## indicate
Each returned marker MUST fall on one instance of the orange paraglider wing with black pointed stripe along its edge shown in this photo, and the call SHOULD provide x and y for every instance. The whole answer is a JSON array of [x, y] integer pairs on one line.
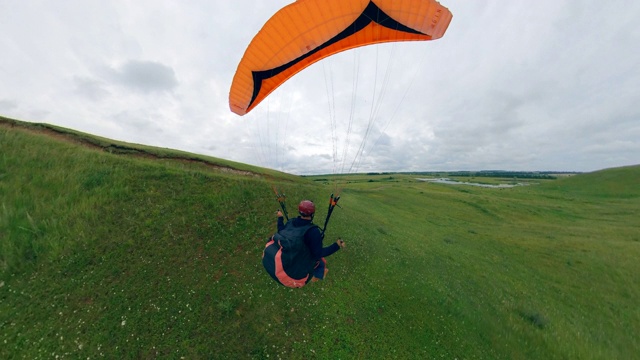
[[307, 31]]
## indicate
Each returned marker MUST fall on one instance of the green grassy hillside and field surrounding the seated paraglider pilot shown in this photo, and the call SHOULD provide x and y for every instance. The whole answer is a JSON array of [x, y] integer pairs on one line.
[[120, 251]]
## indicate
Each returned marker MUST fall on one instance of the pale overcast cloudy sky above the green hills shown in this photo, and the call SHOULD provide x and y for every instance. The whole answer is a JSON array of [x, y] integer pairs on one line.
[[512, 85]]
